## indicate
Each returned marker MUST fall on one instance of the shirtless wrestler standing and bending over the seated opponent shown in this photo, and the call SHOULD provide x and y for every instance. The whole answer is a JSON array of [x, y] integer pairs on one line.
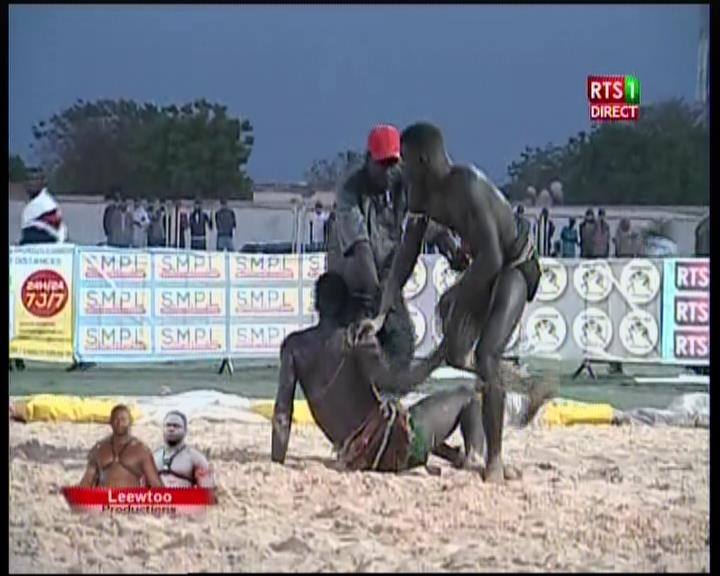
[[482, 309]]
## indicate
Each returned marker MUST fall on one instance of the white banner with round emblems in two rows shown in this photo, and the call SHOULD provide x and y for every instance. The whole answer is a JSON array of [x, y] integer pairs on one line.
[[594, 309]]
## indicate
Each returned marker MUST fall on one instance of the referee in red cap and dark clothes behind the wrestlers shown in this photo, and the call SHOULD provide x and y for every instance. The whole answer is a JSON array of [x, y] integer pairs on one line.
[[367, 229]]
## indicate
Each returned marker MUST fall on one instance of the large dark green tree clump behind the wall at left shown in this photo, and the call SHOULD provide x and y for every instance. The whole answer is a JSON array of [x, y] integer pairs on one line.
[[172, 152]]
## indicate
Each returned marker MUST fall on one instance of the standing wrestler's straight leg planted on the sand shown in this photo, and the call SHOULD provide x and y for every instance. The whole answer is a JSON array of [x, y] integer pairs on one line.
[[507, 305]]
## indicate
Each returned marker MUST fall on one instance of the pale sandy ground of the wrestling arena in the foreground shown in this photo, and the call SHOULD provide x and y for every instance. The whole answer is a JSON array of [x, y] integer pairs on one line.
[[592, 498]]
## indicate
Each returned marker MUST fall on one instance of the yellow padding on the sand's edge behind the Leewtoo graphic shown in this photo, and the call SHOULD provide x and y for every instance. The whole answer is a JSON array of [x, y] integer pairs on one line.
[[56, 408]]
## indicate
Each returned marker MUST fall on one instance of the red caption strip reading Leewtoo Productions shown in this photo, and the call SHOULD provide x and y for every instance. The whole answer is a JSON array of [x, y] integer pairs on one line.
[[139, 500]]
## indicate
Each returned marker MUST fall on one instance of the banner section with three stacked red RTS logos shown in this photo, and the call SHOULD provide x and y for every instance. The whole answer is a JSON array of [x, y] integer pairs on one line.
[[686, 311]]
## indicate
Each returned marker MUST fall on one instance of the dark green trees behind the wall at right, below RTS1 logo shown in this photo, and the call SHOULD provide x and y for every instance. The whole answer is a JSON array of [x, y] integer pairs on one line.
[[662, 159]]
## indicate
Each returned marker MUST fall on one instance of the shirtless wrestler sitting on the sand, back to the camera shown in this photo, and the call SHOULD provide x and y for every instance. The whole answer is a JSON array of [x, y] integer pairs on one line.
[[341, 376]]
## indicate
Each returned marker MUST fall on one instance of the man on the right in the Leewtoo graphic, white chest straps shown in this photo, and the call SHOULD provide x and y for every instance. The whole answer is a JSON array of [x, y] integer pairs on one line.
[[179, 465]]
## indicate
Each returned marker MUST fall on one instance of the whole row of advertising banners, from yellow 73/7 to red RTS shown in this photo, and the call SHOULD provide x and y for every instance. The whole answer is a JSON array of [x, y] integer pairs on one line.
[[117, 305]]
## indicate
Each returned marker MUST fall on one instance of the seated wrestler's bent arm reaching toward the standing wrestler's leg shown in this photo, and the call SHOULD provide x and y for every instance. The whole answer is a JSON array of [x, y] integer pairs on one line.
[[377, 370]]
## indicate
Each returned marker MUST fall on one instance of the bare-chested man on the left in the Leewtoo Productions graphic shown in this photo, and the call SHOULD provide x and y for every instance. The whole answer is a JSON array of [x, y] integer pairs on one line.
[[120, 460]]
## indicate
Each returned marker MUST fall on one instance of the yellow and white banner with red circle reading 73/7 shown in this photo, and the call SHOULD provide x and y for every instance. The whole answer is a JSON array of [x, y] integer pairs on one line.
[[41, 303]]
